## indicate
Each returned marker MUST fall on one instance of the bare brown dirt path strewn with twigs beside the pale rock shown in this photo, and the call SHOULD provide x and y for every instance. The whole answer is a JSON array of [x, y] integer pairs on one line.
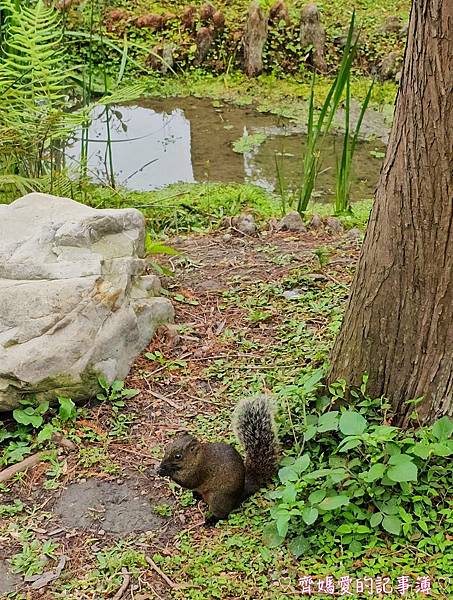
[[106, 490]]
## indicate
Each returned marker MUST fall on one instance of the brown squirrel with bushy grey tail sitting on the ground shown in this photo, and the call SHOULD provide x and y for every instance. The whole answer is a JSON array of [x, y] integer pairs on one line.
[[216, 472]]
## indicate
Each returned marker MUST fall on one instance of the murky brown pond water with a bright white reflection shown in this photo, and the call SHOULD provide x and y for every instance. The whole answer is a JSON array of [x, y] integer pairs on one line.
[[159, 142]]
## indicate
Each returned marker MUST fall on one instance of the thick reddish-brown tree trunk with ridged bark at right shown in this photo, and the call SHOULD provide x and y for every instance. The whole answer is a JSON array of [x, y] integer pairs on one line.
[[398, 325]]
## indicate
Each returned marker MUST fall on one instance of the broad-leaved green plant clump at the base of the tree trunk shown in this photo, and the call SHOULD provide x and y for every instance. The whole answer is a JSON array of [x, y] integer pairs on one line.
[[359, 477]]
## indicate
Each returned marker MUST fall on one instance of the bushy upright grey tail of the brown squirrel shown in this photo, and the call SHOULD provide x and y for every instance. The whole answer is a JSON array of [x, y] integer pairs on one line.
[[255, 428]]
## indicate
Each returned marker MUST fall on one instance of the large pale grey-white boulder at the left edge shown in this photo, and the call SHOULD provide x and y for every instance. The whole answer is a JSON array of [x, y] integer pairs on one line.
[[74, 300]]
